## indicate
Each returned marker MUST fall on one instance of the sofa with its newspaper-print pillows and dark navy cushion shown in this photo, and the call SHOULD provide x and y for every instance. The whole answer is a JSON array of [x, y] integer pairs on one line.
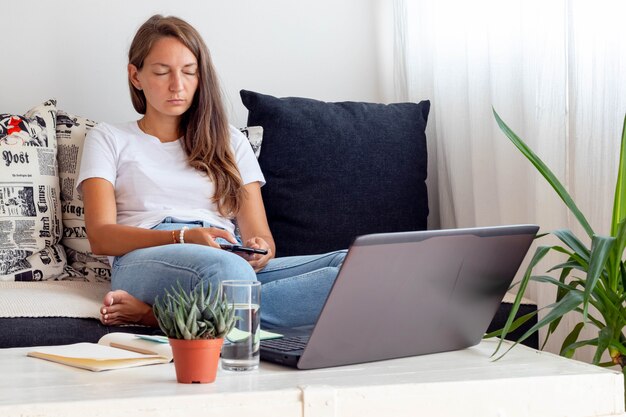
[[333, 171]]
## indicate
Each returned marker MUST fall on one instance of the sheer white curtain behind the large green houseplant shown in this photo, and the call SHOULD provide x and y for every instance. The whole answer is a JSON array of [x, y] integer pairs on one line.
[[554, 70]]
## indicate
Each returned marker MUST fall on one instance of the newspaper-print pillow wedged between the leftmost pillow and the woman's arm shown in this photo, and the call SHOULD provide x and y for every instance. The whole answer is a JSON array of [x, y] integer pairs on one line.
[[71, 132]]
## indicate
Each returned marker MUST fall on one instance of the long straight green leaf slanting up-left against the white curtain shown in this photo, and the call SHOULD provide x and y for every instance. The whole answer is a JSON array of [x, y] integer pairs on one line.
[[546, 173]]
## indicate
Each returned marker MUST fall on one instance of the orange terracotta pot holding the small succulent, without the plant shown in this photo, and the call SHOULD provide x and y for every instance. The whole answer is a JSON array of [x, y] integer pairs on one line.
[[196, 361]]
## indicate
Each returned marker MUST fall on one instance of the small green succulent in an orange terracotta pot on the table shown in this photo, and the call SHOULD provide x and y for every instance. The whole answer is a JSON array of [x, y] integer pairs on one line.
[[195, 323]]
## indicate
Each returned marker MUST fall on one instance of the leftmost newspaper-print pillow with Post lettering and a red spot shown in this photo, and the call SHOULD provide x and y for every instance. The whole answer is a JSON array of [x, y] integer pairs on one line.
[[30, 213]]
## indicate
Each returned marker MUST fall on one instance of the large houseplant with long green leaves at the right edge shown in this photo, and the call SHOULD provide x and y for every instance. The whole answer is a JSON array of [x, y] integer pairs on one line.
[[594, 275]]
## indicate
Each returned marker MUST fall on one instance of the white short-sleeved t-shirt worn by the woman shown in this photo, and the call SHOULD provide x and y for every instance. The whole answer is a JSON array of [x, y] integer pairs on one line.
[[153, 180]]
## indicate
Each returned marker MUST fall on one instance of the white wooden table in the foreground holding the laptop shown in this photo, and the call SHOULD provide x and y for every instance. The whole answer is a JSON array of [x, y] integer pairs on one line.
[[463, 383]]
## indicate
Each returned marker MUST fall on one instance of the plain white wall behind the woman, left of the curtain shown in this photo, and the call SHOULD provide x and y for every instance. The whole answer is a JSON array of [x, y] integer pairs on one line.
[[76, 50]]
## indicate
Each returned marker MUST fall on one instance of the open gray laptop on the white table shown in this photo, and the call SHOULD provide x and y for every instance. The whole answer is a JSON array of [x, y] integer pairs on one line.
[[406, 294]]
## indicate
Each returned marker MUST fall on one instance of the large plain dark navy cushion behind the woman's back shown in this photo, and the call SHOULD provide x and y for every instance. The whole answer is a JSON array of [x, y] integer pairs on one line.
[[338, 170]]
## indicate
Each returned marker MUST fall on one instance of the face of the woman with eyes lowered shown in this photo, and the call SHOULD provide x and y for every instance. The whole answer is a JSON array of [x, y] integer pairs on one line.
[[169, 78]]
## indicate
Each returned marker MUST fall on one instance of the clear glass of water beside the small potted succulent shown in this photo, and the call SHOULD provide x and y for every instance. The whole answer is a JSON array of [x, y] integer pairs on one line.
[[241, 346]]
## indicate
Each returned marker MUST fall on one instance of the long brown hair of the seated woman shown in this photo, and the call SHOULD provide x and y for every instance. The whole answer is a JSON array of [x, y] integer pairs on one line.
[[205, 126]]
